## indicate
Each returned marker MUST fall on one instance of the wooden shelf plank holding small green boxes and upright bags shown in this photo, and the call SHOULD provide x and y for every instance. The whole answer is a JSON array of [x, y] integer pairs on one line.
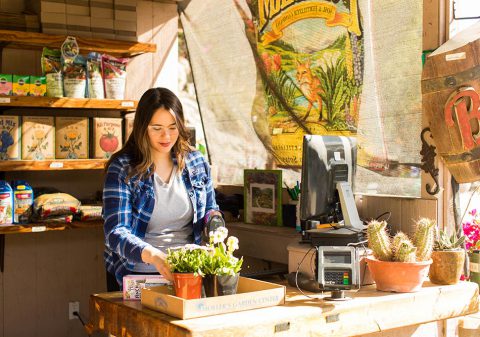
[[67, 103]]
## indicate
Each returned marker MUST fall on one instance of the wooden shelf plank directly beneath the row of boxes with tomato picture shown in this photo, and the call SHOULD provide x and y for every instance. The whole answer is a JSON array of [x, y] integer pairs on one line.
[[53, 164]]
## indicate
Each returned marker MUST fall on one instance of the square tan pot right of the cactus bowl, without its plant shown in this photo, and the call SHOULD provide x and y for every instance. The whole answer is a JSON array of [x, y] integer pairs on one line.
[[447, 266]]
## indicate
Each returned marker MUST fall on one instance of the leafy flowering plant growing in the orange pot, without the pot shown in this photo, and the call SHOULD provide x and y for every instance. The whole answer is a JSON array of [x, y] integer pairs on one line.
[[187, 259]]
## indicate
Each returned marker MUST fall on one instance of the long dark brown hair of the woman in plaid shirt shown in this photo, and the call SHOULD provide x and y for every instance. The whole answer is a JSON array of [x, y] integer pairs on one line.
[[138, 144]]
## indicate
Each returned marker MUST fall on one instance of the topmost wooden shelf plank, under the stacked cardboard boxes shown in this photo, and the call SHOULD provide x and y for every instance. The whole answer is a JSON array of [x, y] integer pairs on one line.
[[16, 39]]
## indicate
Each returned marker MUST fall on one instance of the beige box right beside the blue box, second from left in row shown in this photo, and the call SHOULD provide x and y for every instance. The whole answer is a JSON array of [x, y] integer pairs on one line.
[[38, 138]]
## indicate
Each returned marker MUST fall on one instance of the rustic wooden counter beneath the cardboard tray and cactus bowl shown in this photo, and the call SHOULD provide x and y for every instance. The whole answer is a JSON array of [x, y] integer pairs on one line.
[[370, 311]]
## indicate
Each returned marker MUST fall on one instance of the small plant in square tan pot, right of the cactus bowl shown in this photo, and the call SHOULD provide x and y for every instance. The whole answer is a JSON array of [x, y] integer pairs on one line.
[[448, 258]]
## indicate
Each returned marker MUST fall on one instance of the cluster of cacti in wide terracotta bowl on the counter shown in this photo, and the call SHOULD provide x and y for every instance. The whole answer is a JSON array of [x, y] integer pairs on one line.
[[400, 264]]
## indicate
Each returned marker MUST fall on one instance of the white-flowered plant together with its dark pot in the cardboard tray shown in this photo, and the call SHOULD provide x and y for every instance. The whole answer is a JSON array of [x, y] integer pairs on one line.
[[221, 267]]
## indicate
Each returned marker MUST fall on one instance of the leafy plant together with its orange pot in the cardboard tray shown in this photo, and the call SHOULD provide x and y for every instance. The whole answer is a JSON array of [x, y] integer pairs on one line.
[[187, 263]]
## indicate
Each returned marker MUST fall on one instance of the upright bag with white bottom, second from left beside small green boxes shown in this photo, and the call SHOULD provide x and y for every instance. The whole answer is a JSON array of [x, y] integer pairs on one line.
[[75, 77]]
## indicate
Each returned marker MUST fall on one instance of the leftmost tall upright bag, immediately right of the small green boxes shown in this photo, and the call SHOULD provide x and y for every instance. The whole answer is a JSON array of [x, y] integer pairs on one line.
[[52, 69]]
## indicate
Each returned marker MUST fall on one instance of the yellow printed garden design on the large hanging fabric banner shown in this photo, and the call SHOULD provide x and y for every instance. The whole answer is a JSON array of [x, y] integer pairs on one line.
[[309, 58]]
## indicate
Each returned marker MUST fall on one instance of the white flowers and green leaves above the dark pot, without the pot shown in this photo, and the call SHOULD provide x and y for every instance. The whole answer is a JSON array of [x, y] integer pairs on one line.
[[220, 260]]
